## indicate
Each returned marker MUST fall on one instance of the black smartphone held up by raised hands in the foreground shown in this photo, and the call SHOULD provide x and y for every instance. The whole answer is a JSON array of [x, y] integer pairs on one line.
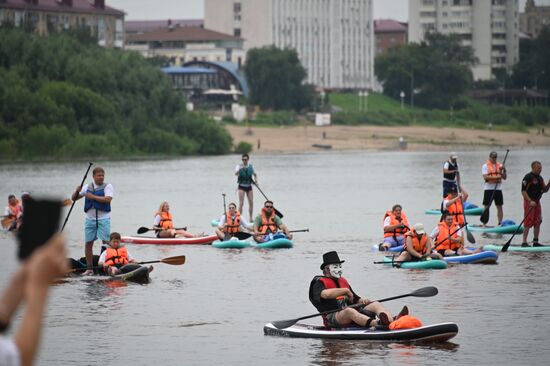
[[39, 222]]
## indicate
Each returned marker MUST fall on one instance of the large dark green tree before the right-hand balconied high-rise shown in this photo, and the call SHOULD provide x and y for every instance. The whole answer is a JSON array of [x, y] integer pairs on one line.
[[437, 70]]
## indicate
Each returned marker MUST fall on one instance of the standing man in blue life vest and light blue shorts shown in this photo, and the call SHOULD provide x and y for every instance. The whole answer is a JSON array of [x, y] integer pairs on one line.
[[97, 206]]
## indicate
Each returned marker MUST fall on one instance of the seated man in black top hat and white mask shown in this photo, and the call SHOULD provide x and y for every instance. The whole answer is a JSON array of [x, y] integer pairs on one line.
[[332, 291]]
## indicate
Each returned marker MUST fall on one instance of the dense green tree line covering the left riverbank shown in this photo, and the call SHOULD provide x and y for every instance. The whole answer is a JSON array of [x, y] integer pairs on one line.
[[61, 96]]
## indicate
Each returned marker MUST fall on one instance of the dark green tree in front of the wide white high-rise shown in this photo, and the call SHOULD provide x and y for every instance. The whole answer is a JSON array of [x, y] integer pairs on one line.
[[276, 79]]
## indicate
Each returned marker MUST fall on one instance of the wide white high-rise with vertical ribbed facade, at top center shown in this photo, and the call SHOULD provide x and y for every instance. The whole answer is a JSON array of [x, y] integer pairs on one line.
[[334, 38]]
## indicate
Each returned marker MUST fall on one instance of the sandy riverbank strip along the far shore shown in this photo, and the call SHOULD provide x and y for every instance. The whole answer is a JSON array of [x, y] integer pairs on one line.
[[301, 139]]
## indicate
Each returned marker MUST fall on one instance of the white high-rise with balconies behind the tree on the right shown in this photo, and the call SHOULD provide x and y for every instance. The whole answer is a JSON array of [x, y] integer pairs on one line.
[[489, 26]]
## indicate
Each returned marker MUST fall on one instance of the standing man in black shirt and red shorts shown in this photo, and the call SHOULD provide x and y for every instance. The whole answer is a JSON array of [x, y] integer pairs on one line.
[[532, 188]]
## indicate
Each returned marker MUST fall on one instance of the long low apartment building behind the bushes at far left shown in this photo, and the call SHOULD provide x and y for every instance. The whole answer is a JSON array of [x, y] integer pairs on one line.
[[46, 16]]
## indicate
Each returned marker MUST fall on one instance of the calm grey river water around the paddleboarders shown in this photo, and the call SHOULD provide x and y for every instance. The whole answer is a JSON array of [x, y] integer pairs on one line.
[[212, 309]]
